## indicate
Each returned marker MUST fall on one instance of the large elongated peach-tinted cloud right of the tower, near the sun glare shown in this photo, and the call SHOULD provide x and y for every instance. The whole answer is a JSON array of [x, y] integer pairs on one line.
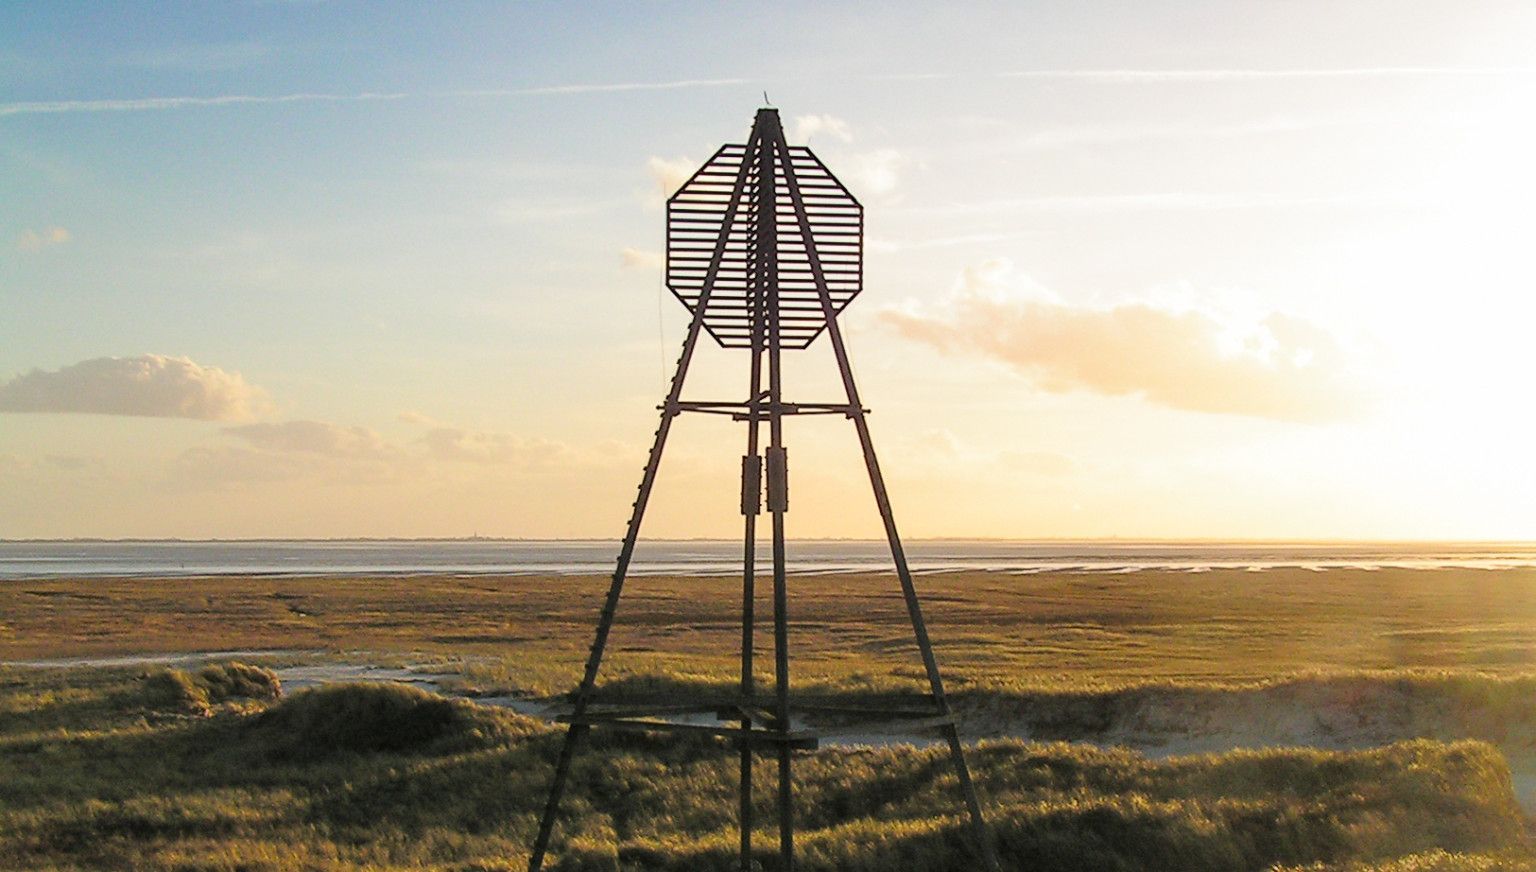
[[1279, 366]]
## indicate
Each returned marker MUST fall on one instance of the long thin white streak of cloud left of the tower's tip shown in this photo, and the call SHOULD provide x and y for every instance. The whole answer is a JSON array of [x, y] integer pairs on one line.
[[162, 104]]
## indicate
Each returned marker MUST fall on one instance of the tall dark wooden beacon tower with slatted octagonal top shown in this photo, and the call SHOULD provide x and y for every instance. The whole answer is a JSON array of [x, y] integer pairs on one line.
[[766, 249]]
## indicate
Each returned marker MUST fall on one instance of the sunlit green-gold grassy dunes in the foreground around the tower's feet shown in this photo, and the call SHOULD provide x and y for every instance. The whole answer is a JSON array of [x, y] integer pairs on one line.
[[392, 778]]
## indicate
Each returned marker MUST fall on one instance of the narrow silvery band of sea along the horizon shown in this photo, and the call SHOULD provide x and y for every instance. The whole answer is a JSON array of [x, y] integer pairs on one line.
[[59, 560]]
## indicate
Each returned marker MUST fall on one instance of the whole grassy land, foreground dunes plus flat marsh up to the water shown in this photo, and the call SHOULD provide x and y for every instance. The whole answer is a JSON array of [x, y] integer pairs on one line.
[[147, 768]]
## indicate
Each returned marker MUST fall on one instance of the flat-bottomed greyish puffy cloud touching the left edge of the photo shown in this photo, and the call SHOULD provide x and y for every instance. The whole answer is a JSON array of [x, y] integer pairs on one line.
[[151, 386]]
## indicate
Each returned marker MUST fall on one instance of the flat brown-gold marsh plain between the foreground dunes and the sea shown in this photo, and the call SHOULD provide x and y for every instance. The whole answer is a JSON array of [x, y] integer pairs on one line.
[[1058, 632]]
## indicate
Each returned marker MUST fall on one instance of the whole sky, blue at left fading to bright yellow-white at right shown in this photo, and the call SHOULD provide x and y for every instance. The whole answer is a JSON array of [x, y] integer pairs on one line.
[[1145, 269]]
